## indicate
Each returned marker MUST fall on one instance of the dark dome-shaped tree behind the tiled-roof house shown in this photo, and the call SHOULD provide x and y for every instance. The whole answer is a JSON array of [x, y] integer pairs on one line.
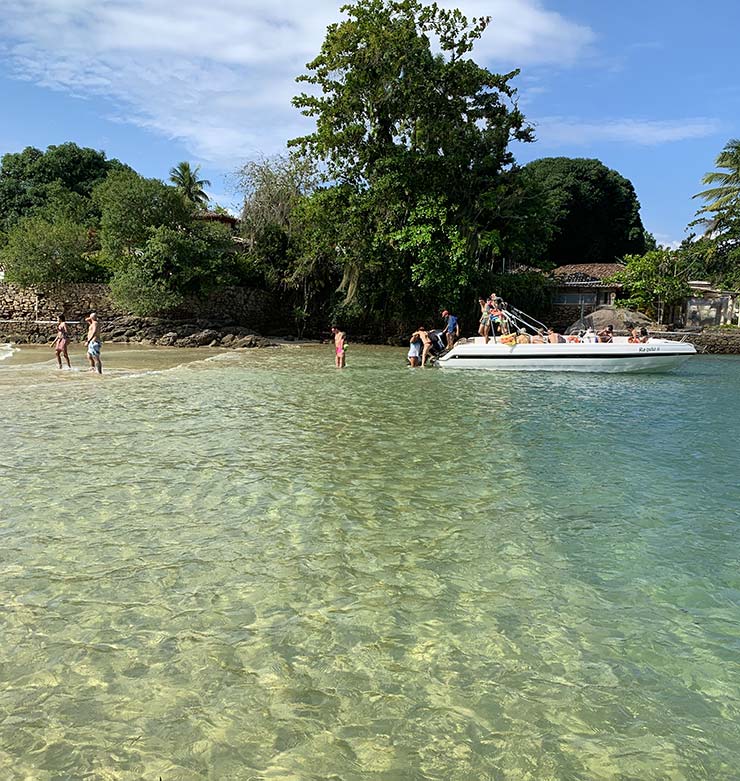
[[593, 211]]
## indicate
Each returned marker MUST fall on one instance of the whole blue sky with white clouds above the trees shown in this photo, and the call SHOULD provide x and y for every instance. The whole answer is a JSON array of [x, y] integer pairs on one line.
[[650, 88]]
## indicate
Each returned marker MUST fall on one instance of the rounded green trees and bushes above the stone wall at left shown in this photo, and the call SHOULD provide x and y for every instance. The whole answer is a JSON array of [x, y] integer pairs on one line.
[[84, 218]]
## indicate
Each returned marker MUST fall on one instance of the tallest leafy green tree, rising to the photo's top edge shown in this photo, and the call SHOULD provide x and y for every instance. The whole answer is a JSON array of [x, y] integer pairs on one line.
[[414, 133]]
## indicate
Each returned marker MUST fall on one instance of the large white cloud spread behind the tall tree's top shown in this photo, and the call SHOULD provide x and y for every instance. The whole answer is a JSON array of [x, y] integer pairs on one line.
[[219, 75]]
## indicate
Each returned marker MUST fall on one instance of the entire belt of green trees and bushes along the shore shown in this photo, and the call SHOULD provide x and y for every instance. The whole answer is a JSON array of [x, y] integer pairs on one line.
[[403, 200]]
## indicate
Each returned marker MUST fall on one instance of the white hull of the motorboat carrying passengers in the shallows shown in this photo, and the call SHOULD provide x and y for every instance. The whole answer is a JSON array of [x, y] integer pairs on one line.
[[655, 355]]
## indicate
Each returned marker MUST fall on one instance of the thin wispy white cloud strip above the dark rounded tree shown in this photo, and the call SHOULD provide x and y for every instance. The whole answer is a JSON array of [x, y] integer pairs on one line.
[[566, 132]]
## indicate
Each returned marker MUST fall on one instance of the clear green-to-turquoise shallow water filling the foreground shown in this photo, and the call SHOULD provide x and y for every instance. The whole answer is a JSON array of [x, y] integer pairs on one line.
[[253, 566]]
